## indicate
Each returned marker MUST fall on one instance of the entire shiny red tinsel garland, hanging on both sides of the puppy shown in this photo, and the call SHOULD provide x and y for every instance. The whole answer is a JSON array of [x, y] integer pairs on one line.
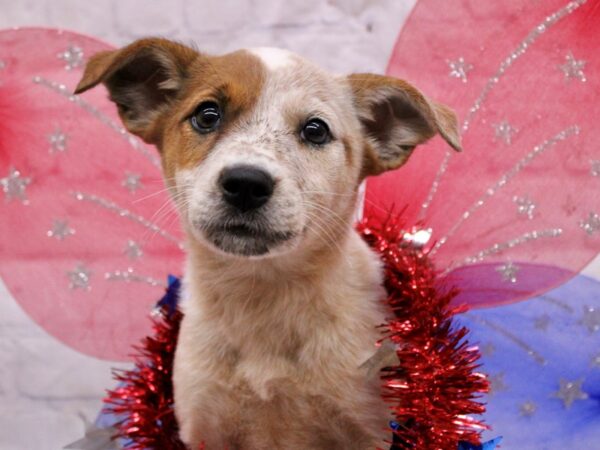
[[432, 392]]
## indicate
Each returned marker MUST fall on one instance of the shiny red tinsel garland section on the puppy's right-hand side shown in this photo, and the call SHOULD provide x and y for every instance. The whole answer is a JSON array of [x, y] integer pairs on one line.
[[435, 387]]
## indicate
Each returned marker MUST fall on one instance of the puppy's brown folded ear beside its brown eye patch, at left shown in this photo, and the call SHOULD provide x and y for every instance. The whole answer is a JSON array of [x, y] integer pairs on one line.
[[142, 79]]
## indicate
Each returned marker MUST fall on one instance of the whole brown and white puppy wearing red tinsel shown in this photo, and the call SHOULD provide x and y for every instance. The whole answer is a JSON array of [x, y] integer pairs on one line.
[[263, 153]]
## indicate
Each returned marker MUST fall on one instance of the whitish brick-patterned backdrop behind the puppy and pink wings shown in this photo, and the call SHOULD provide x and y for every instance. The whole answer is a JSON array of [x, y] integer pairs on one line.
[[44, 386]]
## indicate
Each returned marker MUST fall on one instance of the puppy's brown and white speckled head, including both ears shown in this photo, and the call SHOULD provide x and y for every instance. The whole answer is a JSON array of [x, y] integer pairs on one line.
[[263, 150]]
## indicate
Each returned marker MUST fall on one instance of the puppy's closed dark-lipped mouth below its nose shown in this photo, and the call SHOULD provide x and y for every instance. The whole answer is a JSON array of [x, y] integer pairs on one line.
[[245, 238]]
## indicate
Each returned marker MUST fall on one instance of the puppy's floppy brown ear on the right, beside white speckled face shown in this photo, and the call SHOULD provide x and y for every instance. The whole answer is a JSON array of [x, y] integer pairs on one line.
[[397, 117]]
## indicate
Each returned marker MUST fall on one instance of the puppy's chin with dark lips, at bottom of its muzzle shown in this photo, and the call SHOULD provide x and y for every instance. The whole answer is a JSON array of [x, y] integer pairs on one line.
[[247, 240]]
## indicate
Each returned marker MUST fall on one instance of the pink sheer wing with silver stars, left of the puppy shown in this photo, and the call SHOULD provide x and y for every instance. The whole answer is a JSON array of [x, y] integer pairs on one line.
[[88, 233]]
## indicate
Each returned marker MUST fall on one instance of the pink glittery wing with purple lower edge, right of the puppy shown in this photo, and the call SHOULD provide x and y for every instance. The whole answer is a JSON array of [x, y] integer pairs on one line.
[[523, 199]]
